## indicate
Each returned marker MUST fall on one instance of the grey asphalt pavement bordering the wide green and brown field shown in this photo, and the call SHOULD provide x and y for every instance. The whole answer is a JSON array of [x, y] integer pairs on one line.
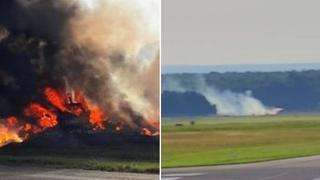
[[306, 168]]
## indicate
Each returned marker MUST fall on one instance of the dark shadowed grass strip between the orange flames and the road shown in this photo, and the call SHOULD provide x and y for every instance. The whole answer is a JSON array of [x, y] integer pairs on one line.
[[124, 158]]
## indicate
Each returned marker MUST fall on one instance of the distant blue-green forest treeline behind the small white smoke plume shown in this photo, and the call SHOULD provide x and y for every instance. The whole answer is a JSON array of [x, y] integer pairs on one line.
[[290, 90]]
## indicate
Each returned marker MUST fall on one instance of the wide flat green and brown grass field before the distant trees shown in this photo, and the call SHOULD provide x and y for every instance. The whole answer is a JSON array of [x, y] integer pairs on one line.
[[231, 140]]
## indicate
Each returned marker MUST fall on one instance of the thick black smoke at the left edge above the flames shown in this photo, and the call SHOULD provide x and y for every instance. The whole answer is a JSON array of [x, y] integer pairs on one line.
[[32, 32]]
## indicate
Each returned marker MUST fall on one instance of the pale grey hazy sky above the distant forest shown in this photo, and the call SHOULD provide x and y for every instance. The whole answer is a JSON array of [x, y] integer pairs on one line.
[[240, 31]]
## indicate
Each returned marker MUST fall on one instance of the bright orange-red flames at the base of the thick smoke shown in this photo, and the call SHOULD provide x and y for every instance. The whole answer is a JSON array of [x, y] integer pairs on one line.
[[44, 116]]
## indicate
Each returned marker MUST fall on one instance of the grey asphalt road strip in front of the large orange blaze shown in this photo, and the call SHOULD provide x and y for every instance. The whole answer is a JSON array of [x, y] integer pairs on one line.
[[31, 173]]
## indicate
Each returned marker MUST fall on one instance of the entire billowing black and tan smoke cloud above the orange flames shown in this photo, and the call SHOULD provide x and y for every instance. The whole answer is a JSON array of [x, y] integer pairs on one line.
[[105, 49]]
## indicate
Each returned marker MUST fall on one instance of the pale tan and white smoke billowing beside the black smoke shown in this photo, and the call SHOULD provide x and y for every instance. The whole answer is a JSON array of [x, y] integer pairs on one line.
[[124, 38]]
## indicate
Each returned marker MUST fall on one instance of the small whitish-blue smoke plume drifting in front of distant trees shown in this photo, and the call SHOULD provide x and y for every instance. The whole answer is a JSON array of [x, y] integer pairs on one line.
[[226, 102]]
